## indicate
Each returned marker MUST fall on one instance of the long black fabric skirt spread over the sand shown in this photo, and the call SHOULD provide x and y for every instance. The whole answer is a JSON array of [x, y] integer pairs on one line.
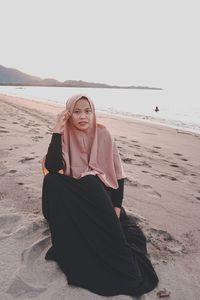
[[93, 247]]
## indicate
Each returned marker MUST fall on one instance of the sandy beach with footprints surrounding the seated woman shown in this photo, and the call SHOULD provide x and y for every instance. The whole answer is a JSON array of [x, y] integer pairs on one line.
[[162, 192]]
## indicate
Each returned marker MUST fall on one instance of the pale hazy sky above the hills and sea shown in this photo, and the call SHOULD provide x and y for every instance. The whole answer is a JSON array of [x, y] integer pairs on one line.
[[144, 42]]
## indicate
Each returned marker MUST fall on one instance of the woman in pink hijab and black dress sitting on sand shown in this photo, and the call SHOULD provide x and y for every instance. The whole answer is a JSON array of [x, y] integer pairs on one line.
[[94, 242]]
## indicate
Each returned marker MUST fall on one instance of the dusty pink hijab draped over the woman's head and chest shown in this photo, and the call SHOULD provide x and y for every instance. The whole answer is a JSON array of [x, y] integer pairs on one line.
[[92, 151]]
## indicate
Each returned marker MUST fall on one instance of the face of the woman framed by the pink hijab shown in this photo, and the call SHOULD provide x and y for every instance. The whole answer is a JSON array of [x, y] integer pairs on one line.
[[82, 116]]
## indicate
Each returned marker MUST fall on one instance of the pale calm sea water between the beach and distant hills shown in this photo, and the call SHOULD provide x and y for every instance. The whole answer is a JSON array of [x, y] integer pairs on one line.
[[174, 110]]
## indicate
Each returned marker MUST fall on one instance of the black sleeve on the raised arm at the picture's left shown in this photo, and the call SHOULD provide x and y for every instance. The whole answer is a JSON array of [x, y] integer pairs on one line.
[[54, 161]]
